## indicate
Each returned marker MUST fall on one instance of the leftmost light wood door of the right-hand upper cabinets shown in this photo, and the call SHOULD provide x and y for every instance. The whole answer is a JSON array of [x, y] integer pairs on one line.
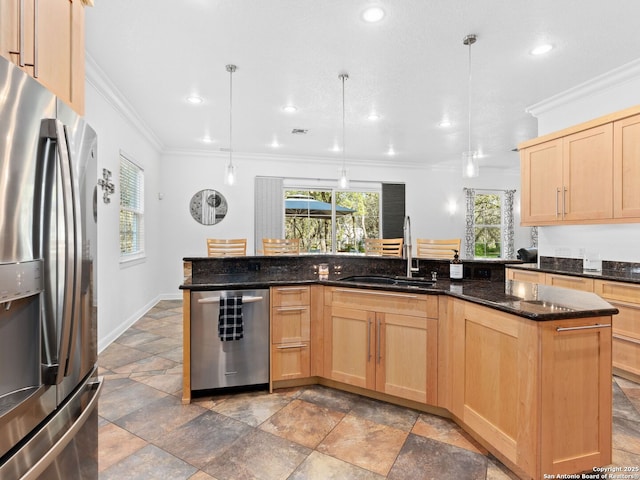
[[541, 171]]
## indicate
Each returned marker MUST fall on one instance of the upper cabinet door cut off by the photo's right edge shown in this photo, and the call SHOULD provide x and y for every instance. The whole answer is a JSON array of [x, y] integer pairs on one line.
[[626, 159]]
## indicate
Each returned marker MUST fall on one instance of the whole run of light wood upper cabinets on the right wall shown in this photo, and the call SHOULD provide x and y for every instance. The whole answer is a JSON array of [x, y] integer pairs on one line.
[[586, 174]]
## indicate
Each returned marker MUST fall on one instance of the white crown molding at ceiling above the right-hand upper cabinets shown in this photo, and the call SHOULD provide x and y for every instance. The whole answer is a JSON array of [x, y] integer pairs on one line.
[[614, 77]]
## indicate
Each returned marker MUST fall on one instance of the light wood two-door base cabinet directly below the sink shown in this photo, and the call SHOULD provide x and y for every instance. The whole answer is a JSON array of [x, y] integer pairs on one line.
[[371, 337]]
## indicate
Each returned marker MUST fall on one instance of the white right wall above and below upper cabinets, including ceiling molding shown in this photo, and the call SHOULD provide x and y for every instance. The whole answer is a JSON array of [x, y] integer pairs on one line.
[[606, 94]]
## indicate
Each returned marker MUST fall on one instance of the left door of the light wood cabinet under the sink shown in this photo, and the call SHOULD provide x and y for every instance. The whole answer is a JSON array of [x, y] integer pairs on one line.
[[349, 346]]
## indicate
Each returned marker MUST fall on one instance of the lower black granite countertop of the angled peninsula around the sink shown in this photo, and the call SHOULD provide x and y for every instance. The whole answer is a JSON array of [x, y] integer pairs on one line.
[[531, 301]]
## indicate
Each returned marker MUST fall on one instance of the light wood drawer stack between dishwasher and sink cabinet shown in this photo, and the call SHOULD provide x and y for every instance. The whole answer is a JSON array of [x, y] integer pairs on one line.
[[290, 332]]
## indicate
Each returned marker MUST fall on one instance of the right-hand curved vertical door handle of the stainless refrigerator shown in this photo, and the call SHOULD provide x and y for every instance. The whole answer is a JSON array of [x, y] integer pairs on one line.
[[54, 130]]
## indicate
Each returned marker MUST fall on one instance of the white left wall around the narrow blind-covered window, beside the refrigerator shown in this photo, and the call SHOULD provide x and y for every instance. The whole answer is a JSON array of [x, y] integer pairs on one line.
[[124, 292]]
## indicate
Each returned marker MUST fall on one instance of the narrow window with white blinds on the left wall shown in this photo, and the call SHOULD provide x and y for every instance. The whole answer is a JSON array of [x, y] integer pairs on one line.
[[131, 210]]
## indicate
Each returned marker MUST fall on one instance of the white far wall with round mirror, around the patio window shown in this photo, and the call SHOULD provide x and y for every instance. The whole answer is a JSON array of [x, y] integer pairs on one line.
[[428, 194]]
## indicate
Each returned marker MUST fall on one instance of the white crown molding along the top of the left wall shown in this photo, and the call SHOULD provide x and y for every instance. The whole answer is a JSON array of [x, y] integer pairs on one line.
[[98, 79]]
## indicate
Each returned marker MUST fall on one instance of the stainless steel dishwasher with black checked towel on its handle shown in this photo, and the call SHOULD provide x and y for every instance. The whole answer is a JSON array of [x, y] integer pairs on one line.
[[218, 364]]
